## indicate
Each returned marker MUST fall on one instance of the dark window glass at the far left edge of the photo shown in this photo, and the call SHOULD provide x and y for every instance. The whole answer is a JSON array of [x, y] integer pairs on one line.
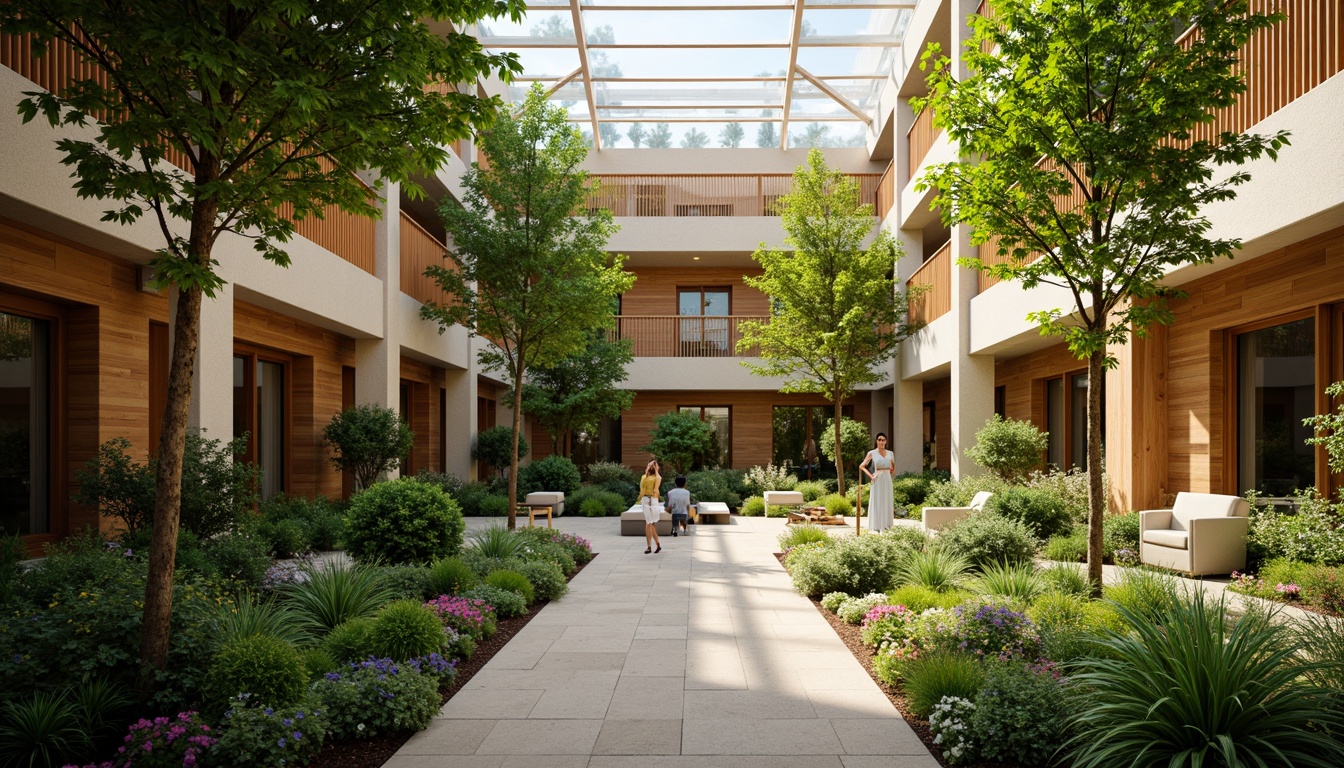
[[25, 424]]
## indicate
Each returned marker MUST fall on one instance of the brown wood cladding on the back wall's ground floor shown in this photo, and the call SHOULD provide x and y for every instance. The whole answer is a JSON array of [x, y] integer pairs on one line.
[[752, 415]]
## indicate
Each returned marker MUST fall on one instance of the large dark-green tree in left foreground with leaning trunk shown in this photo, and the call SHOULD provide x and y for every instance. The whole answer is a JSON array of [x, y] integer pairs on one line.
[[268, 107]]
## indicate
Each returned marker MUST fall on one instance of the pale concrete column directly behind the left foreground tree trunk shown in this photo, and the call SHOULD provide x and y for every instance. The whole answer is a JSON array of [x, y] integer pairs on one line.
[[213, 381]]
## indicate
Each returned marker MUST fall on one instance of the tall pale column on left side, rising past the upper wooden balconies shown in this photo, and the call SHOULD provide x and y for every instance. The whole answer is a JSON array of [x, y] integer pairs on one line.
[[378, 361]]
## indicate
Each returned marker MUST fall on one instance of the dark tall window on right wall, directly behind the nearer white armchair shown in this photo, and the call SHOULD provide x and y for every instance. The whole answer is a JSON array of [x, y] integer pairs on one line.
[[1276, 391]]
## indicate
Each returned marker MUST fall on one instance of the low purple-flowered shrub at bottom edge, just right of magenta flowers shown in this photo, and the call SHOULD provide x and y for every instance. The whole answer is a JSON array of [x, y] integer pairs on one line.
[[271, 738]]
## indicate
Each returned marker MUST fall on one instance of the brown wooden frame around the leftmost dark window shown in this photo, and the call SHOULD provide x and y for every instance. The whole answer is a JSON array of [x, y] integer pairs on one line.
[[58, 493]]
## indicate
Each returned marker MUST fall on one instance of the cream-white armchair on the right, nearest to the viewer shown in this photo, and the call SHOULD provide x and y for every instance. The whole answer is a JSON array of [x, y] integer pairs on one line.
[[1202, 535]]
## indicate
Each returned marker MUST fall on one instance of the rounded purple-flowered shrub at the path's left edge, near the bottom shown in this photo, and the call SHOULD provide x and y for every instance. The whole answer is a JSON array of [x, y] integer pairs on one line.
[[377, 696]]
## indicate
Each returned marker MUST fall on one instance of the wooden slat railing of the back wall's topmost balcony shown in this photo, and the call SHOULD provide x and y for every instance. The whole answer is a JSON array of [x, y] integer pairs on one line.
[[704, 196]]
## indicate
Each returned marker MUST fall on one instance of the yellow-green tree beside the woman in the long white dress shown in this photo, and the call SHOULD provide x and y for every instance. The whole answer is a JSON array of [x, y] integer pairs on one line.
[[838, 315]]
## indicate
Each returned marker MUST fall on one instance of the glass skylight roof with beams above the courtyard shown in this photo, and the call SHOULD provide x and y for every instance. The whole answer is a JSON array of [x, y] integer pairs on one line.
[[747, 72]]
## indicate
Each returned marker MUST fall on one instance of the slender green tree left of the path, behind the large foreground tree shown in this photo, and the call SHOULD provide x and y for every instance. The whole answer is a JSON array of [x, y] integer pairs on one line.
[[530, 268]]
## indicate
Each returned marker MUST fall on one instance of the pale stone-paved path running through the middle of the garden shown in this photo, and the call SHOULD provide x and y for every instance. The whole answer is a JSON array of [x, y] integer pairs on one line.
[[701, 657]]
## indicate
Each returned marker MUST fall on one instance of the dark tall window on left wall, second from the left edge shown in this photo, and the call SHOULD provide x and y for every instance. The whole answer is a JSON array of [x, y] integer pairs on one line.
[[261, 412]]
